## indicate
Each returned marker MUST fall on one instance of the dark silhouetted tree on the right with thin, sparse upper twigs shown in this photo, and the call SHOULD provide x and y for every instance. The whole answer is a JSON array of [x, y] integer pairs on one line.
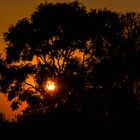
[[115, 75]]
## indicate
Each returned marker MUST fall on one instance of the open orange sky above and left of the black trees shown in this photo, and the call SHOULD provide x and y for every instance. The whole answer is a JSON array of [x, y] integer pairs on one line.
[[13, 10]]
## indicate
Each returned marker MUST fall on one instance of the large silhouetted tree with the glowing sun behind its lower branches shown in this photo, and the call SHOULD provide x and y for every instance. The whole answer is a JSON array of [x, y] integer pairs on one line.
[[44, 48]]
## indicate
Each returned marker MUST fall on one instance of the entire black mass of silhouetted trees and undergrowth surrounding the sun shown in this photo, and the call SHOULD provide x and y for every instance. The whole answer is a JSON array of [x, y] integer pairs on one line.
[[93, 58]]
